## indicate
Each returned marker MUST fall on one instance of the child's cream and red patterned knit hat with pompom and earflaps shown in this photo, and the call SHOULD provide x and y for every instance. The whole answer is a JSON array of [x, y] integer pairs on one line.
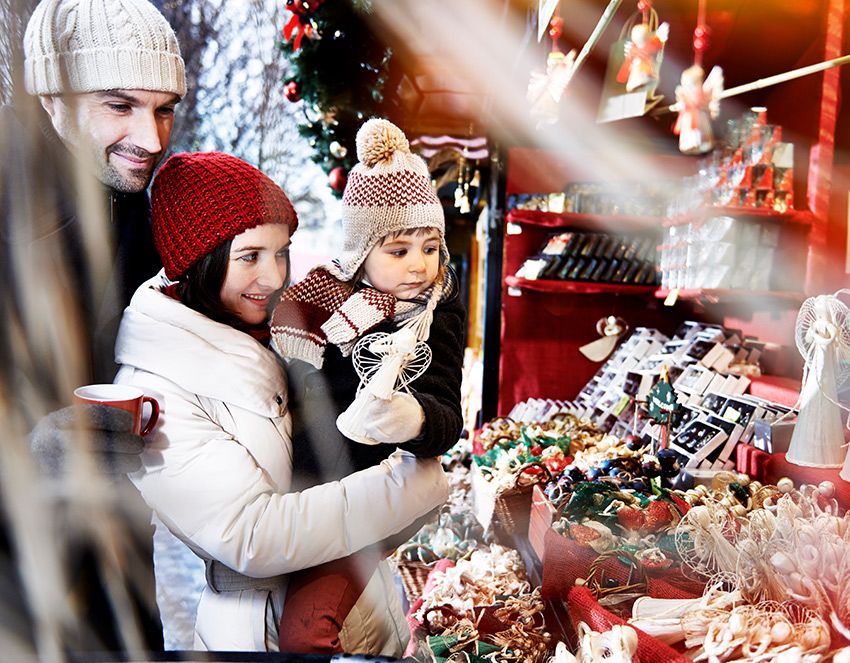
[[387, 191]]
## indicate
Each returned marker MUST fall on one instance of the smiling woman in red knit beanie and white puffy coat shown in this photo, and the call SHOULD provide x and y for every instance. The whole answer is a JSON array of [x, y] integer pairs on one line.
[[217, 468]]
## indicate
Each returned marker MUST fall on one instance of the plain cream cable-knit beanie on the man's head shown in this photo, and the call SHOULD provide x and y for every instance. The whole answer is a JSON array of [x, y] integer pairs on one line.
[[96, 45]]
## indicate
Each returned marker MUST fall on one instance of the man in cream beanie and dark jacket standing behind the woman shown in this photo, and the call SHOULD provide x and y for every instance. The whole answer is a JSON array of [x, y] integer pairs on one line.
[[75, 242]]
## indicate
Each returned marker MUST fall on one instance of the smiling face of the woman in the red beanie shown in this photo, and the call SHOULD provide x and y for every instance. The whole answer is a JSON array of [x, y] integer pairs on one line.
[[257, 269]]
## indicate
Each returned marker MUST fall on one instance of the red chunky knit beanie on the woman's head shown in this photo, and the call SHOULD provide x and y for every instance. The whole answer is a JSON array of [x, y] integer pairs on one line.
[[202, 199]]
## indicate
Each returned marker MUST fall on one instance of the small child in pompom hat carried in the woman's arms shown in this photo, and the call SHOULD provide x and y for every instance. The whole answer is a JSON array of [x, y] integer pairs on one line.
[[393, 272]]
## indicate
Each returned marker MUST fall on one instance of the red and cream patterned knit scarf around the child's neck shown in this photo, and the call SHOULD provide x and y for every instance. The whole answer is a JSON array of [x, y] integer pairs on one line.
[[322, 309]]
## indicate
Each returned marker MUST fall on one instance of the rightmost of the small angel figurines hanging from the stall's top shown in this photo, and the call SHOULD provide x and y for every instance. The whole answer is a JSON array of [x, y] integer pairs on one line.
[[697, 102]]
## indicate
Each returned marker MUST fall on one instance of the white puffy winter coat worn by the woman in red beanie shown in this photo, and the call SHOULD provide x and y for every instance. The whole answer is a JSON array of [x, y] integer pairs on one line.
[[217, 468]]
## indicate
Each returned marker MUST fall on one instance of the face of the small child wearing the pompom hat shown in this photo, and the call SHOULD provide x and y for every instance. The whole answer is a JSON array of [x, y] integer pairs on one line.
[[405, 265]]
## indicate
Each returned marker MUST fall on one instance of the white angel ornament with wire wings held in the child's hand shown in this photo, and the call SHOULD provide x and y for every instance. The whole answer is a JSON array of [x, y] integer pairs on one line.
[[386, 364]]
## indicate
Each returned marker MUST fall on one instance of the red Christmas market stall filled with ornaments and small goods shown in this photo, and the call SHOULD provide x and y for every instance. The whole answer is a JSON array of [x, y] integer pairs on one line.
[[657, 473]]
